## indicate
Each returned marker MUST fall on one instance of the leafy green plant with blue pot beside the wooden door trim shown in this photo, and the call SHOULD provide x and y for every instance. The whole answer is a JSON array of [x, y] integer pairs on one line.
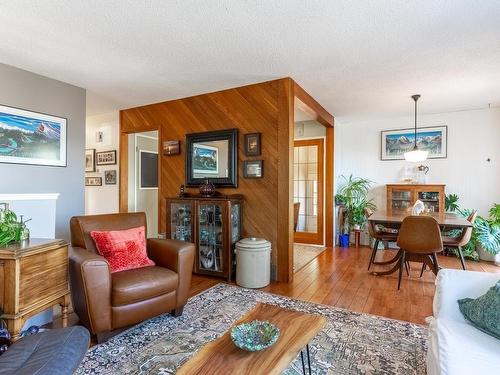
[[352, 198]]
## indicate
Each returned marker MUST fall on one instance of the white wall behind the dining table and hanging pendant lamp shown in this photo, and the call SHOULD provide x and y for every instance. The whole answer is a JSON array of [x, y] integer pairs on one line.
[[473, 137]]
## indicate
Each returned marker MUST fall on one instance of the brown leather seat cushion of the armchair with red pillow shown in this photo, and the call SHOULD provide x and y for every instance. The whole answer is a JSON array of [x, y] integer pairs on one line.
[[141, 284]]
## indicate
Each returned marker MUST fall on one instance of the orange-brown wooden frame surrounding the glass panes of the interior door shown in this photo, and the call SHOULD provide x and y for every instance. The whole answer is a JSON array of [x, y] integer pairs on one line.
[[318, 237]]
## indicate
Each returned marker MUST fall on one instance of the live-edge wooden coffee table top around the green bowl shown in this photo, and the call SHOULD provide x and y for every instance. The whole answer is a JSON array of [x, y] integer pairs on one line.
[[223, 357]]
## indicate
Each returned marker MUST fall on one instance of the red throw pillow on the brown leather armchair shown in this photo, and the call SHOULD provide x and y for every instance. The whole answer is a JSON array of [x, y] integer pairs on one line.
[[123, 249]]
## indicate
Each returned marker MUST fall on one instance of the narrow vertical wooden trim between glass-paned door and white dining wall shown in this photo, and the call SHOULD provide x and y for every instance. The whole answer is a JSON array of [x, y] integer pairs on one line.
[[329, 187]]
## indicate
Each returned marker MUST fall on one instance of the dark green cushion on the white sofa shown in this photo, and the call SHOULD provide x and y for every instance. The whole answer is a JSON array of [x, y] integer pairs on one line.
[[484, 311]]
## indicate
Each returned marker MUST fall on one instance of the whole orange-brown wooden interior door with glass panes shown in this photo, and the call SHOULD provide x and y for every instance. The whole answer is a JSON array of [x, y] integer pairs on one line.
[[308, 190]]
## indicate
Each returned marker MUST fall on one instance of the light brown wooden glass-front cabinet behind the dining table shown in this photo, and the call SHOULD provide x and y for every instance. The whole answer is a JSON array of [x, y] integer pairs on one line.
[[404, 196]]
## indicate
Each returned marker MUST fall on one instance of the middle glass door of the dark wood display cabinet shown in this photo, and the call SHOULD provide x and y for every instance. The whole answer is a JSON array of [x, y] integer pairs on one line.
[[210, 237]]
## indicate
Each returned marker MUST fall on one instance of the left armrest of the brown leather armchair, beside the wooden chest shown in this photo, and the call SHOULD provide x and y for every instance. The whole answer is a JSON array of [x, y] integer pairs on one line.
[[90, 280]]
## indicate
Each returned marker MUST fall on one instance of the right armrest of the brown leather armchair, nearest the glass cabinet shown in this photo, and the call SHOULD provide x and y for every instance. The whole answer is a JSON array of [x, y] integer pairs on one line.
[[177, 256]]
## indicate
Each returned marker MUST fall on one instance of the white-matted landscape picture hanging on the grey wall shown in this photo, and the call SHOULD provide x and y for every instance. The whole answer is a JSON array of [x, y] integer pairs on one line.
[[28, 137]]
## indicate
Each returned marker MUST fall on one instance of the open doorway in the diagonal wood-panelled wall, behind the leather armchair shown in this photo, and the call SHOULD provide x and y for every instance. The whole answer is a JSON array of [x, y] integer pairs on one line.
[[143, 177]]
